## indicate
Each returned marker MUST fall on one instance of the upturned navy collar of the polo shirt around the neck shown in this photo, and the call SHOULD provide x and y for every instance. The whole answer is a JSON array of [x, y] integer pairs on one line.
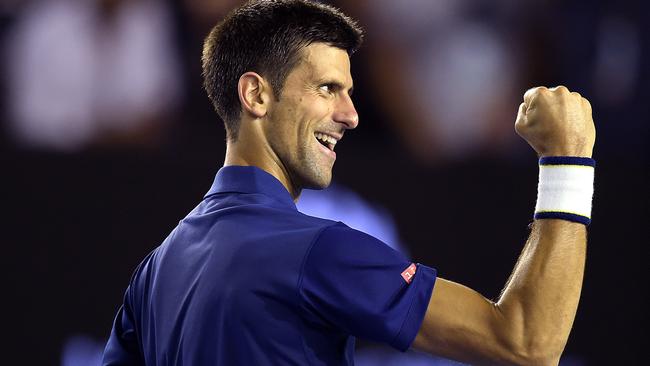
[[250, 179]]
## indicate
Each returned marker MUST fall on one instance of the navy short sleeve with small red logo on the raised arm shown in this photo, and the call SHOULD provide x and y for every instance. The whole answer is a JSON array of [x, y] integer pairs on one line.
[[359, 285]]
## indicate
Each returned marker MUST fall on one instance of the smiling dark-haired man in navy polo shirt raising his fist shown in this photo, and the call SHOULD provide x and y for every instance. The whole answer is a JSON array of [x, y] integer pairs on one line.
[[245, 279]]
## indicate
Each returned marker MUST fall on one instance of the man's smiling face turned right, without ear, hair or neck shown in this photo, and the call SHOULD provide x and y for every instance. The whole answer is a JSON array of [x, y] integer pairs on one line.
[[311, 116]]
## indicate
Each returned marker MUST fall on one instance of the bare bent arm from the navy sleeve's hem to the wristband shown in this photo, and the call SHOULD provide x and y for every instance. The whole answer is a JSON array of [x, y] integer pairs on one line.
[[530, 323]]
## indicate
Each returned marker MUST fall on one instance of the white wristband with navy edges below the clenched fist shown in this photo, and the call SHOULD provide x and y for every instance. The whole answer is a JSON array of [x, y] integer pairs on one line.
[[566, 187]]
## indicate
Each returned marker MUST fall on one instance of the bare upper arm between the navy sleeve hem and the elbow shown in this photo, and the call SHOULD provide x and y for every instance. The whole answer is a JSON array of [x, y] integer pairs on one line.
[[463, 325]]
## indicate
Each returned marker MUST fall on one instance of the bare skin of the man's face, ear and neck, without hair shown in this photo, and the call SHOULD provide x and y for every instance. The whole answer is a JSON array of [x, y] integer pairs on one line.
[[293, 136]]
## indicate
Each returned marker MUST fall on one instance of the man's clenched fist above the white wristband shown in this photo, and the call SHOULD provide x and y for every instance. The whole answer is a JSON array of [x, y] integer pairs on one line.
[[556, 122]]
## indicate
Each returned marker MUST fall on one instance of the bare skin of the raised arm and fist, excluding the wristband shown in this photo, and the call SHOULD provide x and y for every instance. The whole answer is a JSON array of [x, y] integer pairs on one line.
[[531, 321]]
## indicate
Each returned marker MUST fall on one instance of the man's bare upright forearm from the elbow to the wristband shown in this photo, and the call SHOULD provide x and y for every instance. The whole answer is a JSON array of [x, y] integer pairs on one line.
[[539, 302]]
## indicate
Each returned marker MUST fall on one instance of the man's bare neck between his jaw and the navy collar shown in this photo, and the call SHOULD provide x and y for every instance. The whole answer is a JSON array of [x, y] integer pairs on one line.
[[246, 152]]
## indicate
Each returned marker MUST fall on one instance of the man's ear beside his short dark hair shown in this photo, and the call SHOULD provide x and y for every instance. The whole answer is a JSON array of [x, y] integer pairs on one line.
[[254, 94]]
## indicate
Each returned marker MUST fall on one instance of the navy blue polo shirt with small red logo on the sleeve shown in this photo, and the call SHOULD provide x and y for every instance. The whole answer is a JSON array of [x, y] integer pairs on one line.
[[246, 279]]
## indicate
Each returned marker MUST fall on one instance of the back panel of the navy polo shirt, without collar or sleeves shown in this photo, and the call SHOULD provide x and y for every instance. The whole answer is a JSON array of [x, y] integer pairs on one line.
[[222, 288]]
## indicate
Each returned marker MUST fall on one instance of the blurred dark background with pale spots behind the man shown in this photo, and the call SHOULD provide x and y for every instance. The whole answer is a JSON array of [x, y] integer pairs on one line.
[[108, 140]]
